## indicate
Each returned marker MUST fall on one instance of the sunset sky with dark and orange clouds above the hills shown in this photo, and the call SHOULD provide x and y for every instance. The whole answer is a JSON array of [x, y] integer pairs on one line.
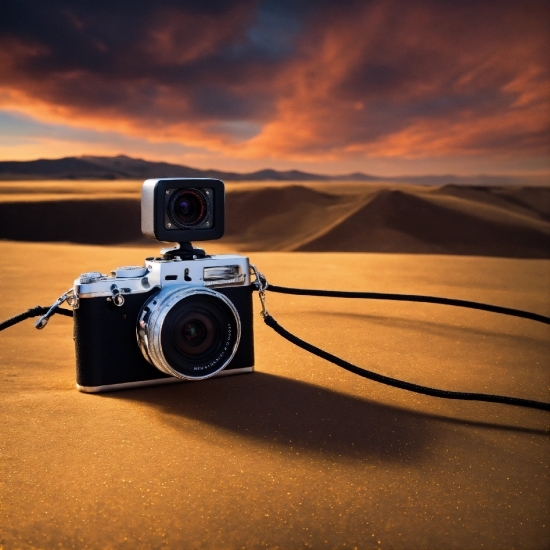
[[383, 87]]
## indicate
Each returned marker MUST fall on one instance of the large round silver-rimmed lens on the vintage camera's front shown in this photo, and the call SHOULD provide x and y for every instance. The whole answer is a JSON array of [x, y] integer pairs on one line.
[[190, 333]]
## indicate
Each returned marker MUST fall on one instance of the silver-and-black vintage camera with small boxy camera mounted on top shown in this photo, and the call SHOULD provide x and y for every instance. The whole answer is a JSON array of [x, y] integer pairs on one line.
[[182, 316]]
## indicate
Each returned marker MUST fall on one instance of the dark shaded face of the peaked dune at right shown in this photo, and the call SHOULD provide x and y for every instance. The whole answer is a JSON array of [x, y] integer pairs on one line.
[[395, 220]]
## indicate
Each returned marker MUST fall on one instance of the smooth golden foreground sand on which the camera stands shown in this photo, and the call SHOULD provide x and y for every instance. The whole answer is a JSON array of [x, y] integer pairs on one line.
[[299, 453]]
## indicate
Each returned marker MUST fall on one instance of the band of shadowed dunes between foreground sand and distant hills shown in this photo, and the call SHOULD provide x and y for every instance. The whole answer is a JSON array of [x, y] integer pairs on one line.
[[307, 217]]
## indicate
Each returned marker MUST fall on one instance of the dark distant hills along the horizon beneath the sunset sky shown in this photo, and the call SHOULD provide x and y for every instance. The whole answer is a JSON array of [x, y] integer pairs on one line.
[[123, 167]]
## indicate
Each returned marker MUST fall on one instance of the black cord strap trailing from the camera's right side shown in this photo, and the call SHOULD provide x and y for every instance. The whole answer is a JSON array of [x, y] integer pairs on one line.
[[262, 285]]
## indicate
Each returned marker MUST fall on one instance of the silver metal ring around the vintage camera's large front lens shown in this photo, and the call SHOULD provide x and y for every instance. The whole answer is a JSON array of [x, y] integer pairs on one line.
[[152, 318]]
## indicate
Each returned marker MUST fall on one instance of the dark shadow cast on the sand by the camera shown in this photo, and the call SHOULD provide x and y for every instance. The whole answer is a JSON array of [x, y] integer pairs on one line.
[[282, 412]]
